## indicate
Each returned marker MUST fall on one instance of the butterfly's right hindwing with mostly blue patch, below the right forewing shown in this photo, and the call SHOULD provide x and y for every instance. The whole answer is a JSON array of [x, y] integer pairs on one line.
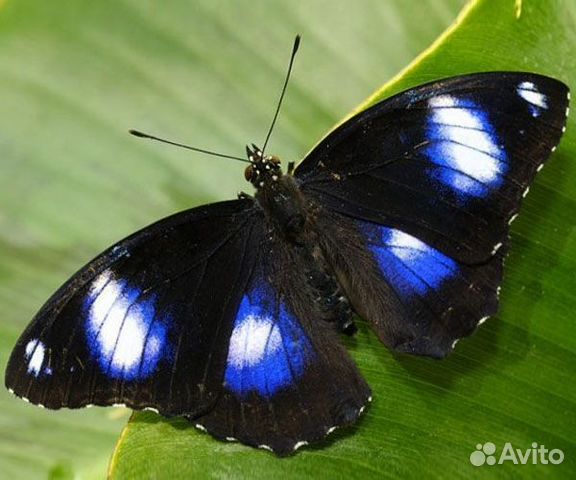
[[417, 299]]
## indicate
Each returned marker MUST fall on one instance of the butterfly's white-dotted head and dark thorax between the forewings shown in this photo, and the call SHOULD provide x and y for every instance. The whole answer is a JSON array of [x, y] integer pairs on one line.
[[277, 194]]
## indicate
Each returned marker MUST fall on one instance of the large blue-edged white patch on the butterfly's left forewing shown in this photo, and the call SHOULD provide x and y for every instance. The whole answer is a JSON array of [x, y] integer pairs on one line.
[[123, 331]]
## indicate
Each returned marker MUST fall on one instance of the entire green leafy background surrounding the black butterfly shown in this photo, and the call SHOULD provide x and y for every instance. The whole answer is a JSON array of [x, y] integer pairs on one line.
[[76, 75]]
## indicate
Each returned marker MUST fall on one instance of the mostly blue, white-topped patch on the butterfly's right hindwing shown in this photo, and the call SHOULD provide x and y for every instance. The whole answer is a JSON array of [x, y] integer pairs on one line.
[[409, 265]]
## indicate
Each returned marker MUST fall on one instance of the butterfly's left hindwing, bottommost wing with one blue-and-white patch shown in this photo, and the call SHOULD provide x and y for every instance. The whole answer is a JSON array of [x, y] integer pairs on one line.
[[288, 382]]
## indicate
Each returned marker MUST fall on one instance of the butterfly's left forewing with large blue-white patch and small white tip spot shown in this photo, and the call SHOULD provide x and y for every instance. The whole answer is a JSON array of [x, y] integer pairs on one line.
[[147, 322]]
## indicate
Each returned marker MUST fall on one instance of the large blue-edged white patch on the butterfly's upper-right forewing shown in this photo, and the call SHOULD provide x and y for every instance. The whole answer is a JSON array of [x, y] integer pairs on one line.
[[464, 147]]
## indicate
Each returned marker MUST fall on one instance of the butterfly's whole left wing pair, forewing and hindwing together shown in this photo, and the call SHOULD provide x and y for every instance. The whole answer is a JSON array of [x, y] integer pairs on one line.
[[200, 315]]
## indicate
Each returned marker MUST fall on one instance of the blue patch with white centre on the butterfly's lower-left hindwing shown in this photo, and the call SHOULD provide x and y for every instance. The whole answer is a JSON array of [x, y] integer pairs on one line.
[[269, 350]]
